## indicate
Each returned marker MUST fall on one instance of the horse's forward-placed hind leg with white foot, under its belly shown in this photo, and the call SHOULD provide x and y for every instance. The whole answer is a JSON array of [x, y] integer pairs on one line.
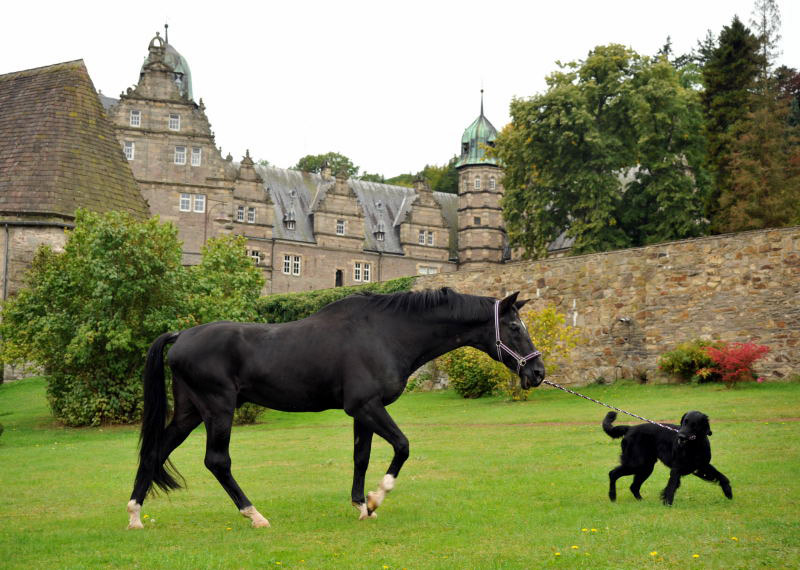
[[218, 461]]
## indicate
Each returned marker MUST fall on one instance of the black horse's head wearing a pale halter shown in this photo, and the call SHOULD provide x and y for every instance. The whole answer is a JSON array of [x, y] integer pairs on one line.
[[512, 344]]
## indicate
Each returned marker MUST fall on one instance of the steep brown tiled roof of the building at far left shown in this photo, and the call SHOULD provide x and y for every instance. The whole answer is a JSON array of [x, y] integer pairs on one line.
[[58, 150]]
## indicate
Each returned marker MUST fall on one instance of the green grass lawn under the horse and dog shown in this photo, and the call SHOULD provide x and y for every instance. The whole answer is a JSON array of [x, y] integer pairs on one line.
[[490, 484]]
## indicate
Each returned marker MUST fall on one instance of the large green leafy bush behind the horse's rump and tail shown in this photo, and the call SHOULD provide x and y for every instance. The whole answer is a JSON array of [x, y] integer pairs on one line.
[[89, 313]]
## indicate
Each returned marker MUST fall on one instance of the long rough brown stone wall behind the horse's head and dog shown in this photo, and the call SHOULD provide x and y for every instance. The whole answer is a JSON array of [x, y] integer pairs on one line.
[[632, 305]]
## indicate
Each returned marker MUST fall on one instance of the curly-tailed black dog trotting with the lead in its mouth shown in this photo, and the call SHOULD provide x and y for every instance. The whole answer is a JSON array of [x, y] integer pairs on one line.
[[687, 451]]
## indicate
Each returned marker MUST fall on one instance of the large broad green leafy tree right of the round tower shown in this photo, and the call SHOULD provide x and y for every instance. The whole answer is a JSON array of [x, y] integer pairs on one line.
[[612, 154]]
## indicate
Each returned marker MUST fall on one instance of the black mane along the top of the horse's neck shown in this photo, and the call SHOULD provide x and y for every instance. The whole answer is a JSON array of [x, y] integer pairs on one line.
[[459, 306]]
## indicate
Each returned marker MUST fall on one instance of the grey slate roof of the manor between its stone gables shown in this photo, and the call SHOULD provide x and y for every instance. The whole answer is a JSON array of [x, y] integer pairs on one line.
[[295, 192]]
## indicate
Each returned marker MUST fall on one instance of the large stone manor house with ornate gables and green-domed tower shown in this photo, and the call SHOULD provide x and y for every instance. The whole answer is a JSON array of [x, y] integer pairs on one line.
[[305, 230]]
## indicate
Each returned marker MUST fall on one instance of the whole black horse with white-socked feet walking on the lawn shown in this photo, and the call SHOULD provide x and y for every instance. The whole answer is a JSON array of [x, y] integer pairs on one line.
[[355, 354]]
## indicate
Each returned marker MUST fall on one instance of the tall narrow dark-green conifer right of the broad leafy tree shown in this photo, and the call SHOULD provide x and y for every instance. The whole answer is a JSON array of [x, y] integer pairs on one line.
[[729, 76]]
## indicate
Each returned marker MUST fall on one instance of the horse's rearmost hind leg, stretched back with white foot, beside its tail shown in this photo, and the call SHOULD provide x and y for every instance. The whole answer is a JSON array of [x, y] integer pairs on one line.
[[184, 420]]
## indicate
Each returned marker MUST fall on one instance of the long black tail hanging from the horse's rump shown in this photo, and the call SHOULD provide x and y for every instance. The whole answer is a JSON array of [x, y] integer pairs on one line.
[[154, 417]]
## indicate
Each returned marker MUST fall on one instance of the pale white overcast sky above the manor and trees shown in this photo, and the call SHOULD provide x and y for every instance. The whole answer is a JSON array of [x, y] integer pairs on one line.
[[392, 85]]
